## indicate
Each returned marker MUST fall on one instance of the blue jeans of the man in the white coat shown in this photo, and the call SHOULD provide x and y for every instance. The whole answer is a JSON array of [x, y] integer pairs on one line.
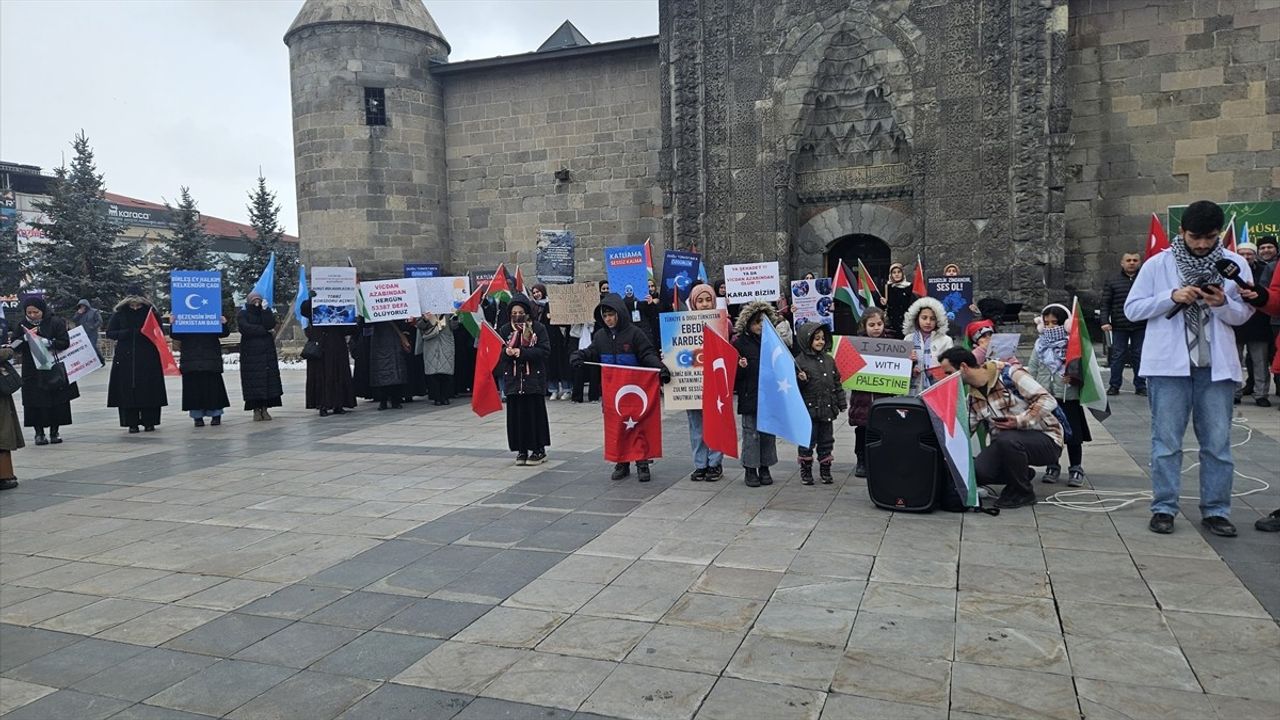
[[1209, 405]]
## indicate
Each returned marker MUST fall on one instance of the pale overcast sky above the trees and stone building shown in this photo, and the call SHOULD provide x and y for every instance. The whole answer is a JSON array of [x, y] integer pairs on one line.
[[198, 93]]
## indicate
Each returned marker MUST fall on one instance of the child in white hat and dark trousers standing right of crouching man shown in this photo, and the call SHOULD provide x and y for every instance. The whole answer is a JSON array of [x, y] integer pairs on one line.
[[1050, 370]]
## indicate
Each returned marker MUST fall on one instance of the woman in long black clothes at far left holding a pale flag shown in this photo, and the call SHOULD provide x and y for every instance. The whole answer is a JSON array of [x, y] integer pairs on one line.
[[44, 407]]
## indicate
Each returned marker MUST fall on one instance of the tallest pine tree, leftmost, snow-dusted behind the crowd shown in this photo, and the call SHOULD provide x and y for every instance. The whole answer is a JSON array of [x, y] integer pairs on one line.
[[83, 256]]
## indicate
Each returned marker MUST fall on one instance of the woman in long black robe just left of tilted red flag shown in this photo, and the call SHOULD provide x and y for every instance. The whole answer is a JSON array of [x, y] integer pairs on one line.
[[136, 389]]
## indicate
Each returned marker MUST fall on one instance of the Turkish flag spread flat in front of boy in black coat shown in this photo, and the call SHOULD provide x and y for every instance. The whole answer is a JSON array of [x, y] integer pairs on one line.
[[633, 416]]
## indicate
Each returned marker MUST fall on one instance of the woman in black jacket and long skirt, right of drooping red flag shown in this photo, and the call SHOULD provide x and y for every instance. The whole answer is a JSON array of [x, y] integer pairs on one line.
[[523, 368]]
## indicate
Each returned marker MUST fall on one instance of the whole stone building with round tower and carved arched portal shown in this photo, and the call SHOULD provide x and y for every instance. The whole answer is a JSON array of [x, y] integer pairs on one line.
[[1027, 140]]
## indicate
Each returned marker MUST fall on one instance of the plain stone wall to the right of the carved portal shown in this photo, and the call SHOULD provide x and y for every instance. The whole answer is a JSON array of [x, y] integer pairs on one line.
[[1173, 102]]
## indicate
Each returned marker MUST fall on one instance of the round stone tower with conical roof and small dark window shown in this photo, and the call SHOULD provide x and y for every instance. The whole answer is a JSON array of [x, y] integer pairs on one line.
[[369, 135]]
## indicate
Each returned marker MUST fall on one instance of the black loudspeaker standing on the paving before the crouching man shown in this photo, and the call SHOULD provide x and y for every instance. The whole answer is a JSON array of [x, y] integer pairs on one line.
[[904, 462]]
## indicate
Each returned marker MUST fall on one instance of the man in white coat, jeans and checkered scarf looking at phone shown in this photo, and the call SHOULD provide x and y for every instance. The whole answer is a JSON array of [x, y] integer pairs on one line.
[[1191, 364]]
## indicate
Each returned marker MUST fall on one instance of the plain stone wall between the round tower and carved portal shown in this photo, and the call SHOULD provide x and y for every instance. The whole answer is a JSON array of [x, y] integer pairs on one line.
[[511, 127]]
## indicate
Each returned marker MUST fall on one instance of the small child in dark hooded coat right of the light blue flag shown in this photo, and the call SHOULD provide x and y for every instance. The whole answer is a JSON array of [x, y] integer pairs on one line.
[[824, 398]]
